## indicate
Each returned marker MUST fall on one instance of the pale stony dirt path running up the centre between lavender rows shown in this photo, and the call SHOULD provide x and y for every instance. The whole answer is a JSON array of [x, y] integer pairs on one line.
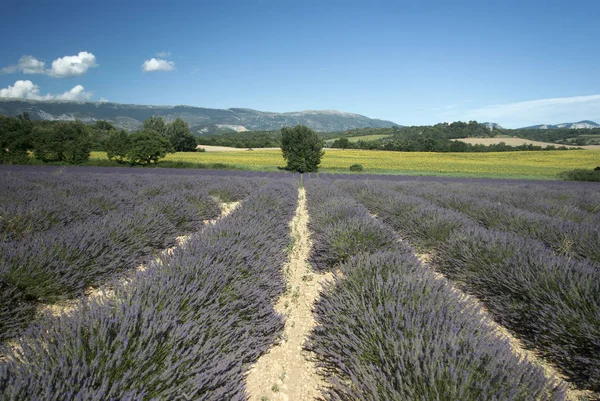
[[287, 371]]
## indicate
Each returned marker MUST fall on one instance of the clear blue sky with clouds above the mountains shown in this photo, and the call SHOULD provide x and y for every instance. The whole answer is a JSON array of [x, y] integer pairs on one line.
[[516, 63]]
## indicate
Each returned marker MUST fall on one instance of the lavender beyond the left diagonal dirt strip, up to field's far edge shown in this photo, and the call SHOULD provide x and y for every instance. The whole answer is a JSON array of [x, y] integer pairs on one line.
[[61, 234]]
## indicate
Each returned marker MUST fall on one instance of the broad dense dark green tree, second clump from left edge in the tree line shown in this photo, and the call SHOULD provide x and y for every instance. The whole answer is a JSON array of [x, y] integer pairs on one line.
[[63, 141]]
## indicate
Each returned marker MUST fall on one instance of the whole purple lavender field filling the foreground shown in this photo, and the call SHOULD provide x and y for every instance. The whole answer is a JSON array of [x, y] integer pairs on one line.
[[127, 284]]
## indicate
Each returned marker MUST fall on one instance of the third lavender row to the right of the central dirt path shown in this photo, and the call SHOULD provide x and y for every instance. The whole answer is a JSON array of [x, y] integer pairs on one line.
[[506, 212]]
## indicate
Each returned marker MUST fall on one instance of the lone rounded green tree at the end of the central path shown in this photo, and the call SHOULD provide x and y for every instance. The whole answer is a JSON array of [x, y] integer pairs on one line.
[[302, 149]]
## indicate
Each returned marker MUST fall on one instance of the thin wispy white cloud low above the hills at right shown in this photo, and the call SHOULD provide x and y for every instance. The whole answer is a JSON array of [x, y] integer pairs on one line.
[[541, 111]]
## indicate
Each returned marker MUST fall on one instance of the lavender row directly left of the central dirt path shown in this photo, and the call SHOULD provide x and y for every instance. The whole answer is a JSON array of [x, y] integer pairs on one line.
[[186, 328]]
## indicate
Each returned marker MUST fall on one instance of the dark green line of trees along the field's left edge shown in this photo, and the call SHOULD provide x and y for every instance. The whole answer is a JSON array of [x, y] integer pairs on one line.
[[73, 141]]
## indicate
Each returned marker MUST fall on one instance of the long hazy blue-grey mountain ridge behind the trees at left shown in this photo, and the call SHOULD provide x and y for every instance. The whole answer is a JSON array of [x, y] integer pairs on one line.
[[201, 120]]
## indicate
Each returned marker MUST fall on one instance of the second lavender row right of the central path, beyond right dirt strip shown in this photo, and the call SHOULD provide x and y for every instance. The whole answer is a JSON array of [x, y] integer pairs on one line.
[[550, 301]]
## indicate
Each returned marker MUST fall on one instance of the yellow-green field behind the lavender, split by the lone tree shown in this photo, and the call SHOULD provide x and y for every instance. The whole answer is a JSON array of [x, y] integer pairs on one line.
[[532, 165]]
